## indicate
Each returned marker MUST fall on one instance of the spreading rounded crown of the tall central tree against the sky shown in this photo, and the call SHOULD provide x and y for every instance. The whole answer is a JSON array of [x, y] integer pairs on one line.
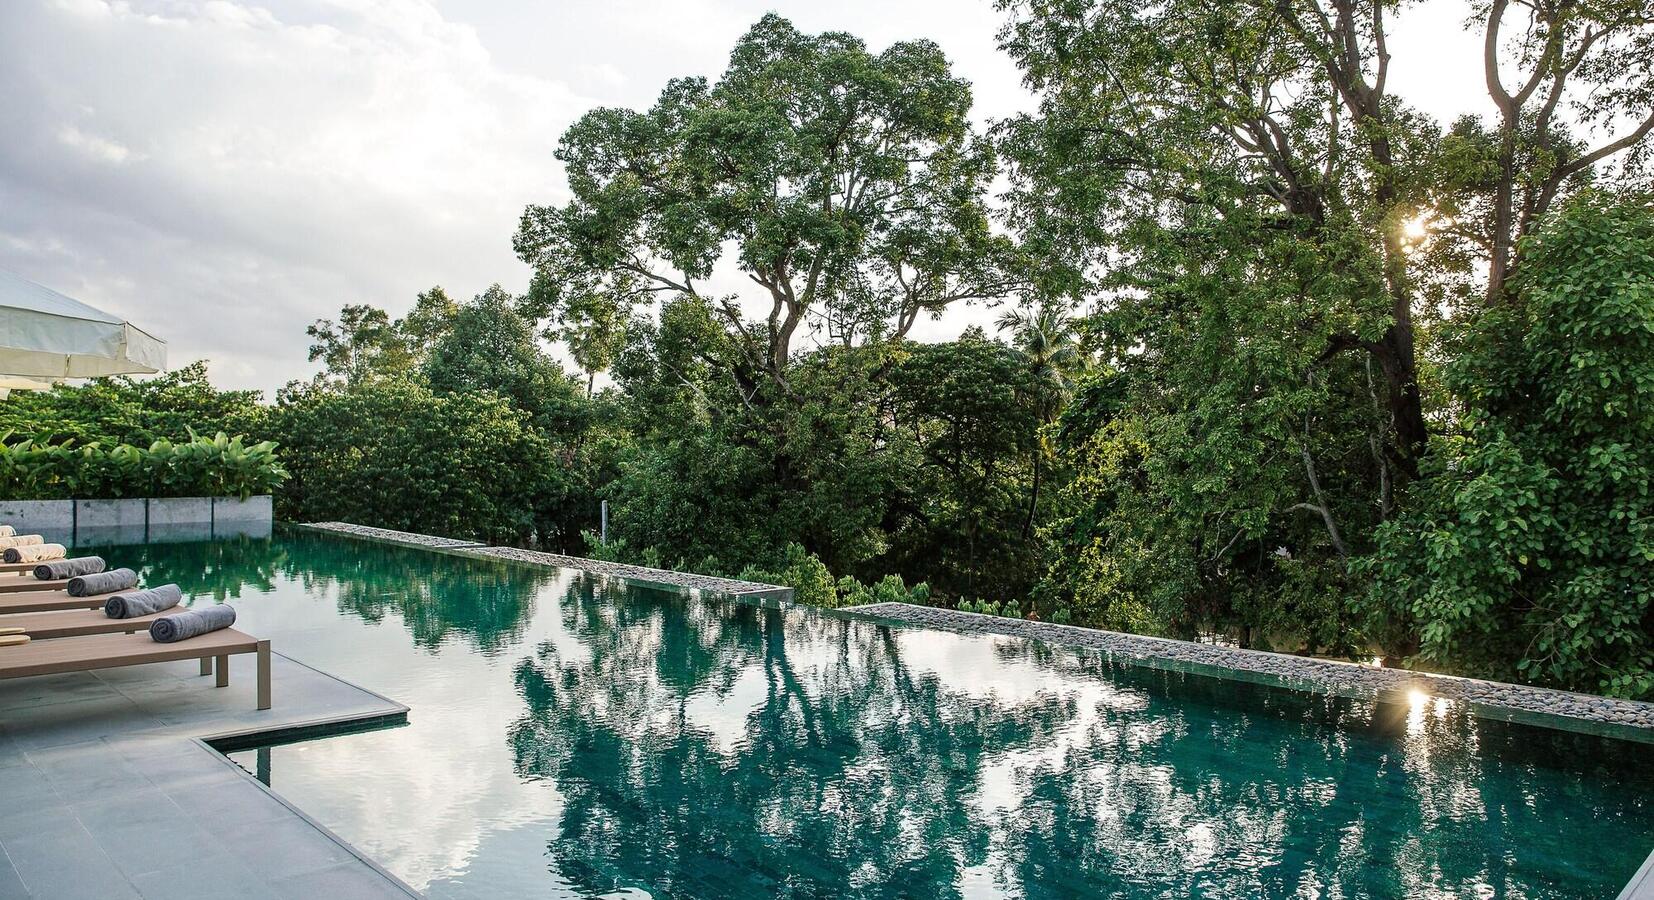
[[846, 186]]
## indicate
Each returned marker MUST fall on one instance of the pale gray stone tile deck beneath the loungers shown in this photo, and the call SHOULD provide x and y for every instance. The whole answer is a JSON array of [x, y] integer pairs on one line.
[[110, 792]]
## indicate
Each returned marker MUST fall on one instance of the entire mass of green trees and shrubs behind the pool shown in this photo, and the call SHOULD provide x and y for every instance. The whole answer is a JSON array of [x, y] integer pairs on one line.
[[1283, 360]]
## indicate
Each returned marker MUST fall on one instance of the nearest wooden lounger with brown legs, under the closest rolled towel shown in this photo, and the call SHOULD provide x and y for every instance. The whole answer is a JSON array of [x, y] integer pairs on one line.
[[115, 651]]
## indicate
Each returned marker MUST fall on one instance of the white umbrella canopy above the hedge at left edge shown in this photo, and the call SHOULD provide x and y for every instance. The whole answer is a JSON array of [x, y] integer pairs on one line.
[[45, 335]]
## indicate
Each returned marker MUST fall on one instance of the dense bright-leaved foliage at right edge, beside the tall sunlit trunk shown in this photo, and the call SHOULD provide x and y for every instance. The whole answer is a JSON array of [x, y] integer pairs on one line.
[[1531, 550]]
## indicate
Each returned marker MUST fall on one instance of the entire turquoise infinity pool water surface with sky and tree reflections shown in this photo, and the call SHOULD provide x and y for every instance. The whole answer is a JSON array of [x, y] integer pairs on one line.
[[571, 739]]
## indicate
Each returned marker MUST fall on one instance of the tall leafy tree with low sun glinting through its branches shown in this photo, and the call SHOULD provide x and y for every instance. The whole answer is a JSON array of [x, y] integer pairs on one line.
[[1278, 246]]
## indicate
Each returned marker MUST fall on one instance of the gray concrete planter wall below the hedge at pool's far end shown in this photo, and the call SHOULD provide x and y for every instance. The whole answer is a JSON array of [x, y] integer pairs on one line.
[[160, 519]]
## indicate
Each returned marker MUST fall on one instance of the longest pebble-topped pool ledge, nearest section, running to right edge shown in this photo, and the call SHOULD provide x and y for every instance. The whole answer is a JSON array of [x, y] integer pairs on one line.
[[1554, 709]]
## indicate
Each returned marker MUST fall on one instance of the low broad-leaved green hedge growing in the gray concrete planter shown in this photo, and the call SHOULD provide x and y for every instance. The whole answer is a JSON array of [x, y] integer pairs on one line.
[[198, 467]]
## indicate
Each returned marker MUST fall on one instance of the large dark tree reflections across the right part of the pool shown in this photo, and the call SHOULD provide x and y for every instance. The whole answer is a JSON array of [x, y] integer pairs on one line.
[[859, 777]]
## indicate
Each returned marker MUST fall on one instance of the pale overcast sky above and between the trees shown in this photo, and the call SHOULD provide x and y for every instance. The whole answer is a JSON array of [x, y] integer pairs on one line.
[[224, 173]]
